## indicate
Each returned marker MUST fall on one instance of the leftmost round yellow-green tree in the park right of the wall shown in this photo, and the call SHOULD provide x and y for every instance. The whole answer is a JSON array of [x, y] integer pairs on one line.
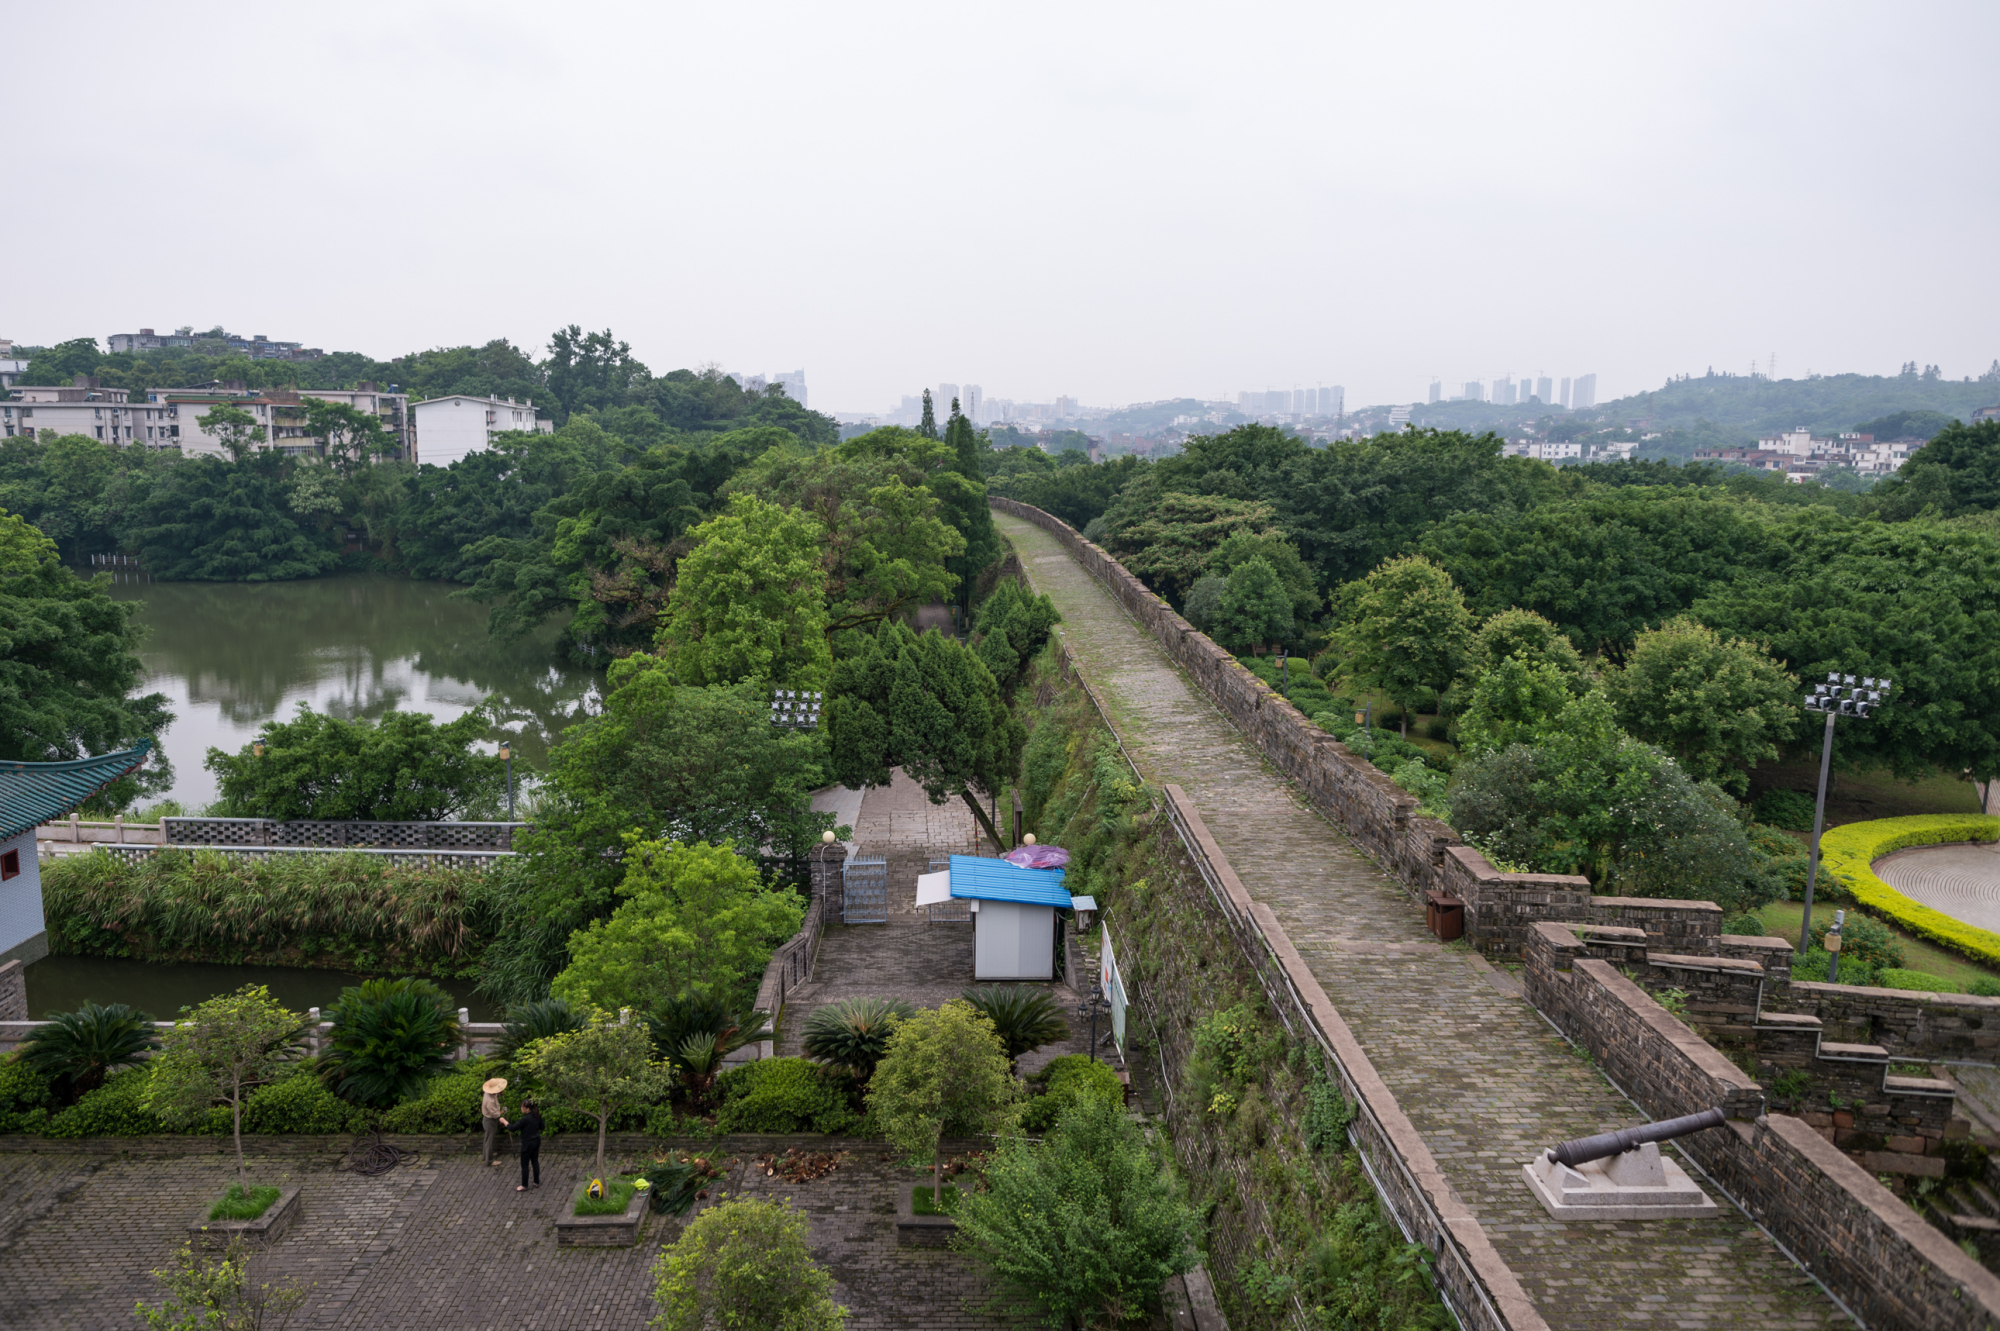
[[1407, 631]]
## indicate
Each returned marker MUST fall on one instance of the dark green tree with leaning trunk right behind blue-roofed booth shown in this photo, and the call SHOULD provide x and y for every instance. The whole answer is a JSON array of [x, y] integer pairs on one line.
[[929, 706]]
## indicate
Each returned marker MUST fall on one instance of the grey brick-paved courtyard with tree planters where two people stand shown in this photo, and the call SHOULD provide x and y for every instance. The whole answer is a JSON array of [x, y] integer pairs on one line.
[[443, 1246]]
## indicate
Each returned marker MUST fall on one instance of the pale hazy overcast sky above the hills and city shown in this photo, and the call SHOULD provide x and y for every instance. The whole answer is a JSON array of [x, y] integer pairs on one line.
[[1109, 201]]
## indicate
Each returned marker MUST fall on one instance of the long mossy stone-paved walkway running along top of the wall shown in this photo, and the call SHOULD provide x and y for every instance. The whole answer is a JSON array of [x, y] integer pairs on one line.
[[1477, 1070]]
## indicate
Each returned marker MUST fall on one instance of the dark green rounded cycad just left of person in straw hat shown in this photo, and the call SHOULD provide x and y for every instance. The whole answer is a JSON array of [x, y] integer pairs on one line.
[[391, 1036]]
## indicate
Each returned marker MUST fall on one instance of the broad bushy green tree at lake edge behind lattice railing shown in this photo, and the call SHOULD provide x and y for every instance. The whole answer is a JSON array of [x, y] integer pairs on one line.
[[403, 768]]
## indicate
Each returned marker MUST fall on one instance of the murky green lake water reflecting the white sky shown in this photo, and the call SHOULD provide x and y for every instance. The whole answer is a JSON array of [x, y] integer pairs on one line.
[[237, 655]]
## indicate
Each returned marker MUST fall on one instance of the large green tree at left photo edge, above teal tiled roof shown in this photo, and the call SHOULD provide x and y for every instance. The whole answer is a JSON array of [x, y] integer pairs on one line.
[[69, 665]]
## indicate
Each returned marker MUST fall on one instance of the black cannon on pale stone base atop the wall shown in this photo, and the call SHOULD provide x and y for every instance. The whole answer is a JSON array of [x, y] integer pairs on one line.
[[1623, 1176]]
